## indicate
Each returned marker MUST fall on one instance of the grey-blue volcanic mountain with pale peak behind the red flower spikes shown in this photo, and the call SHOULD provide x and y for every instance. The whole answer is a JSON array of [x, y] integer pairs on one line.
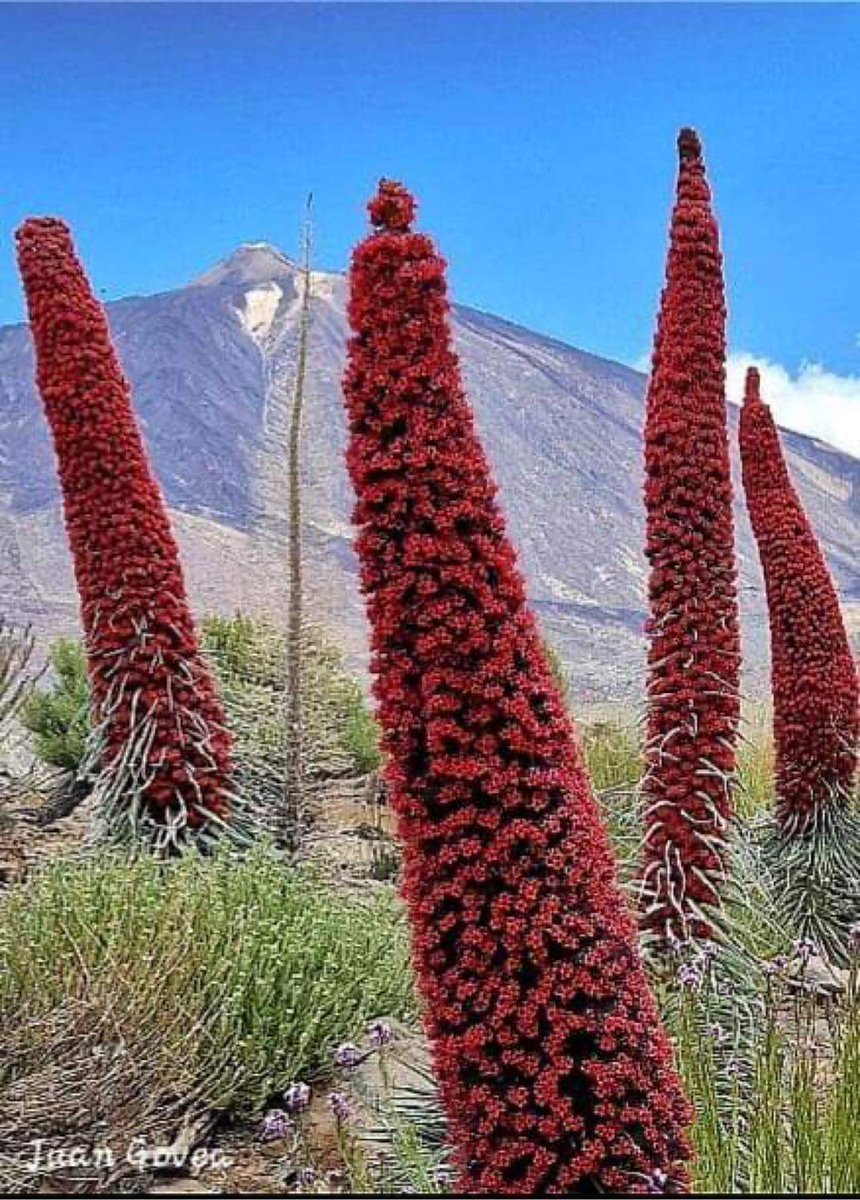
[[213, 367]]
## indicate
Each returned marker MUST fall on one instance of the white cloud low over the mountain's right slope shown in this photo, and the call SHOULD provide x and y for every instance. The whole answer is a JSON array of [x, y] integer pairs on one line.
[[814, 401]]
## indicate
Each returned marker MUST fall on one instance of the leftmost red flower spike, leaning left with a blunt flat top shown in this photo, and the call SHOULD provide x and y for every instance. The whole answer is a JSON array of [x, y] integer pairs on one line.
[[153, 695]]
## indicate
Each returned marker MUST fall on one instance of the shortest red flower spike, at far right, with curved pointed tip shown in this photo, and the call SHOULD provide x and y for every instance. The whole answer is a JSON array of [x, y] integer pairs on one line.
[[815, 680]]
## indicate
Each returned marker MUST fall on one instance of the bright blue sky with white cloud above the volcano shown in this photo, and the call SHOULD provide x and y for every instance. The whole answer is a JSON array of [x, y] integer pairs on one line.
[[540, 140]]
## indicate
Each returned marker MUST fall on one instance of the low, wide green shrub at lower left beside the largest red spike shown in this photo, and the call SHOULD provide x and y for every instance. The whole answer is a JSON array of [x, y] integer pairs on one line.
[[238, 974]]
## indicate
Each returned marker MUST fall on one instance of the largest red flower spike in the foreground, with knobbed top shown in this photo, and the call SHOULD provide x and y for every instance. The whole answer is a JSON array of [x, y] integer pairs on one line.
[[555, 1071]]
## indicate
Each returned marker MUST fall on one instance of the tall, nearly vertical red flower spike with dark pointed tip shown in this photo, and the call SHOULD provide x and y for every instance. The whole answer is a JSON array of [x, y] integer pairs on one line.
[[694, 635]]
